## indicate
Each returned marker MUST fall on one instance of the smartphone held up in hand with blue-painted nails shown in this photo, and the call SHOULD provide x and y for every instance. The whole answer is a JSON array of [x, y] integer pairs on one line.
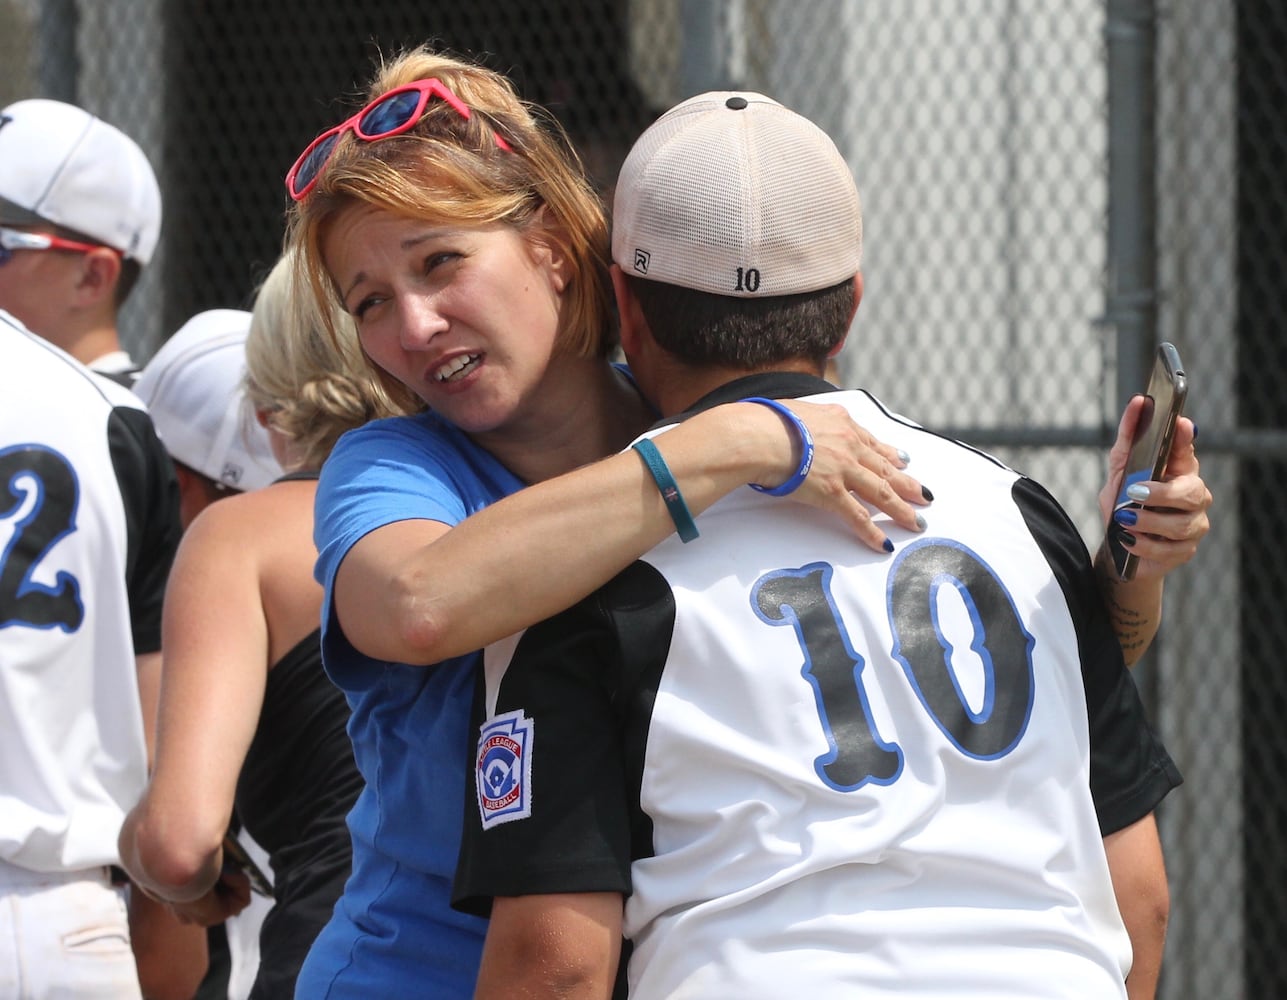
[[1168, 388]]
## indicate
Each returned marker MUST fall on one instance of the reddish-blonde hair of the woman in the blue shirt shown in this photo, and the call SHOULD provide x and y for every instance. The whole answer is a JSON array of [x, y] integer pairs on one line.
[[452, 171]]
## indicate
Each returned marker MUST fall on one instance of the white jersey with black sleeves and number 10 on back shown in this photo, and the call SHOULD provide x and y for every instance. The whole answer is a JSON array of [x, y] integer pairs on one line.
[[819, 772]]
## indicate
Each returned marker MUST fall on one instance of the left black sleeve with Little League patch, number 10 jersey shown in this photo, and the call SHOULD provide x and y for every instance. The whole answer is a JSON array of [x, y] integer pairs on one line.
[[571, 832]]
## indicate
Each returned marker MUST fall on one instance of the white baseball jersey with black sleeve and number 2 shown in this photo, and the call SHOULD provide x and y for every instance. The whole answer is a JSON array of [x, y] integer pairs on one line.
[[88, 530]]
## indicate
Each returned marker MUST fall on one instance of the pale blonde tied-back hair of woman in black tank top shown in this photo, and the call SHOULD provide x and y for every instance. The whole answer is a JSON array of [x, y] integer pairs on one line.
[[307, 371]]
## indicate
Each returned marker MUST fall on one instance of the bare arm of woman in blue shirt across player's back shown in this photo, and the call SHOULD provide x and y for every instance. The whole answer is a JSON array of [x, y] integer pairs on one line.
[[420, 591]]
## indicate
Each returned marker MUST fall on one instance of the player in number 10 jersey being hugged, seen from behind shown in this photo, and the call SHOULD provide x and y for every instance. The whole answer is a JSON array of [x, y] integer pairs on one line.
[[770, 760]]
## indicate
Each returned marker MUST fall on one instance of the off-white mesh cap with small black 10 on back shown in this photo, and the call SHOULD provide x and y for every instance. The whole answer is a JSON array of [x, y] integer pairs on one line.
[[736, 195]]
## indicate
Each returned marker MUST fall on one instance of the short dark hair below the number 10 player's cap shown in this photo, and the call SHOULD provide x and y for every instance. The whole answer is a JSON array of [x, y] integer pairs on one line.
[[705, 330]]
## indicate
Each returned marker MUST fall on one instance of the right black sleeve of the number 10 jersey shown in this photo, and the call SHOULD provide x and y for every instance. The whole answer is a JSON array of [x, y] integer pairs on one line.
[[1131, 770]]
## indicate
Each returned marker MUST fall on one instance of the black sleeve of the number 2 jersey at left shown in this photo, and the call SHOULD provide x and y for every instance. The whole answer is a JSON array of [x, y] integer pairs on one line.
[[150, 492]]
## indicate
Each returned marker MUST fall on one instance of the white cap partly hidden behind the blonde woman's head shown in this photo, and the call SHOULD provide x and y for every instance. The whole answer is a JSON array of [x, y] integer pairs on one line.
[[194, 391]]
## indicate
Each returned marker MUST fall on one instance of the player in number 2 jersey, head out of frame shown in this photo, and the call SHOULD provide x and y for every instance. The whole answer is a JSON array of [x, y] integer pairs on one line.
[[91, 524]]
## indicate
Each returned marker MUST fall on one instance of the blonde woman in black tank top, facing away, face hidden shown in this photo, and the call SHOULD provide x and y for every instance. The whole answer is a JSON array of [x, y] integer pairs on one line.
[[249, 720]]
